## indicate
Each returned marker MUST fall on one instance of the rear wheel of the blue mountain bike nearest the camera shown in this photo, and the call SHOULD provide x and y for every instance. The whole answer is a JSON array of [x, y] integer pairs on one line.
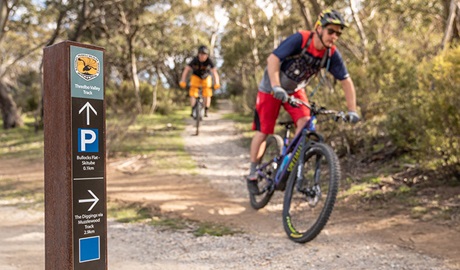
[[273, 148]]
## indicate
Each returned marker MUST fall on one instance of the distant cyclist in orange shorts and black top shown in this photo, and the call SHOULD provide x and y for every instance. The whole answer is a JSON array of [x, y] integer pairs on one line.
[[202, 67]]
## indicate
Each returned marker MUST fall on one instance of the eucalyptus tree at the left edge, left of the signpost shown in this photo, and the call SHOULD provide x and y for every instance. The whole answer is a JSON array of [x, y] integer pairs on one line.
[[23, 33]]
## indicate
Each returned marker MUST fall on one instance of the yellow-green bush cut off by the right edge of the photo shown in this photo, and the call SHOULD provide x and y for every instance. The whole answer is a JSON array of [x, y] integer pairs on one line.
[[439, 108]]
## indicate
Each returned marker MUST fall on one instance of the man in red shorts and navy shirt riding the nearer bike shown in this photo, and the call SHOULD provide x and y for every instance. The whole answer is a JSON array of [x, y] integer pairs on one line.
[[289, 68]]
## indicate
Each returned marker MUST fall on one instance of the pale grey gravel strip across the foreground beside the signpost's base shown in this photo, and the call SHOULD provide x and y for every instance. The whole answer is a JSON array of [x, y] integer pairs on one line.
[[134, 246]]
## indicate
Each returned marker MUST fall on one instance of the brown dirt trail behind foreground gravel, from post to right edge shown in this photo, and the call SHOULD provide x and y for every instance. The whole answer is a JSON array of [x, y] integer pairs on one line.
[[218, 193]]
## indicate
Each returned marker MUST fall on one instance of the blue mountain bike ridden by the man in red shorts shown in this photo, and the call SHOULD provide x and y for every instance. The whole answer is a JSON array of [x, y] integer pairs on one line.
[[307, 169]]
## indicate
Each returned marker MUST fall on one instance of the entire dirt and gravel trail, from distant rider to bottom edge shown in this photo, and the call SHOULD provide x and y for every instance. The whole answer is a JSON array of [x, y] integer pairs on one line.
[[352, 239]]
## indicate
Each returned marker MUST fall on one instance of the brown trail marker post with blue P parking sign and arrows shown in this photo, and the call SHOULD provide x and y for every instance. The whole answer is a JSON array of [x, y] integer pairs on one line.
[[75, 169]]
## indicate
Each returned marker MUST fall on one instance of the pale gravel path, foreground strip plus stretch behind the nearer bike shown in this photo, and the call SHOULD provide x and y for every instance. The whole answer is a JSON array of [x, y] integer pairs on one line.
[[263, 246]]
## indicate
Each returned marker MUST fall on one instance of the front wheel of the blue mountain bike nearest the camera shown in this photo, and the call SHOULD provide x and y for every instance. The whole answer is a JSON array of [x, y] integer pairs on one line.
[[308, 203]]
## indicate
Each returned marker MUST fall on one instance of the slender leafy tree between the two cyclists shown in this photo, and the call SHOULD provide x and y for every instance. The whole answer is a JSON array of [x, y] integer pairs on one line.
[[246, 43]]
